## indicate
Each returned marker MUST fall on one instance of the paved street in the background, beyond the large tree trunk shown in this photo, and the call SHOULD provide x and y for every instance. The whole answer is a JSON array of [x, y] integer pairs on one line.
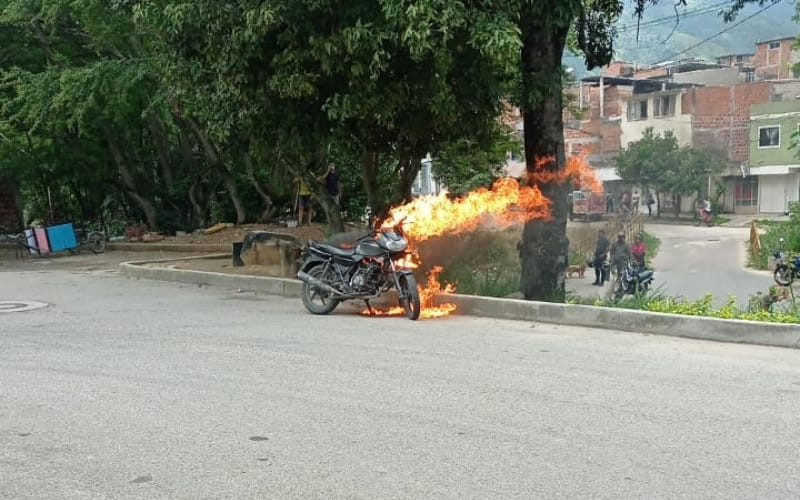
[[693, 261]]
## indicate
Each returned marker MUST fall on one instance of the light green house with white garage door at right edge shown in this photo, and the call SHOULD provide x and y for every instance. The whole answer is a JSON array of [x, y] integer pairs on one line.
[[771, 179]]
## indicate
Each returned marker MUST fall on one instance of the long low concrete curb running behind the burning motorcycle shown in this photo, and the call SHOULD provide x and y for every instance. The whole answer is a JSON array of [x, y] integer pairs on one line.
[[674, 325]]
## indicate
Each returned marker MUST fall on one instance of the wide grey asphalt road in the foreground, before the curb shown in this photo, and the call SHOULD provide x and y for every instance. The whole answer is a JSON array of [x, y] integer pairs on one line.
[[135, 389]]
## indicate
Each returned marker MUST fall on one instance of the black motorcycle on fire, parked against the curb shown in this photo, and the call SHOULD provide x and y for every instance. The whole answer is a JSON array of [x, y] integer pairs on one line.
[[331, 274]]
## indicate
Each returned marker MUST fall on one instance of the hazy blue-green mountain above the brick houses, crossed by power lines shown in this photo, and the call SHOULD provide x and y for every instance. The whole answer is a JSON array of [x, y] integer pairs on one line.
[[665, 35]]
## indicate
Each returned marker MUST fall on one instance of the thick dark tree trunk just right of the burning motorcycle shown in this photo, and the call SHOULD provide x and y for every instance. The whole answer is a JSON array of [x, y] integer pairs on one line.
[[544, 248]]
